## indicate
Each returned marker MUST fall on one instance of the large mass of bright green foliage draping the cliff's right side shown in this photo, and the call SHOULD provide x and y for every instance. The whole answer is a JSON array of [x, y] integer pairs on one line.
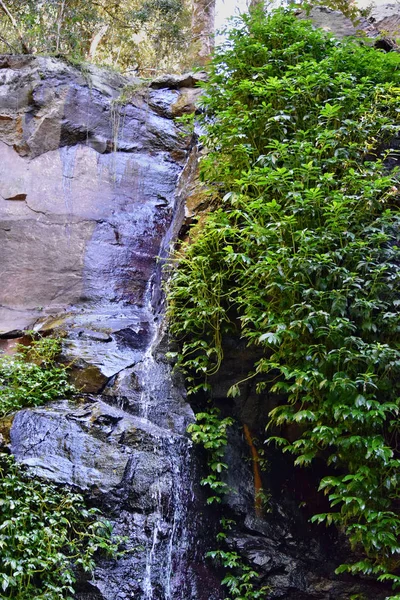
[[301, 258]]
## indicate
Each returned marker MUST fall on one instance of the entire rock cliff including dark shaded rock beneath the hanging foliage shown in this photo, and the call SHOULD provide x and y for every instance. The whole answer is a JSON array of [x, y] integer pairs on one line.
[[92, 191]]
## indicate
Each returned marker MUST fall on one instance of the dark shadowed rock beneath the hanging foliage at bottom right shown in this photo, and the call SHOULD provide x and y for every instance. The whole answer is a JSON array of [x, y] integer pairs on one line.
[[294, 558]]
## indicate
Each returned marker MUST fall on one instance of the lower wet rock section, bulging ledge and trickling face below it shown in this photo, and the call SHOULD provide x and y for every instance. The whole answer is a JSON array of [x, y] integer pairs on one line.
[[139, 473]]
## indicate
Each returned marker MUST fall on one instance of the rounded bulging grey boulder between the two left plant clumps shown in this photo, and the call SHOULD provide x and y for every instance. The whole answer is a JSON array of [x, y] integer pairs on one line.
[[89, 445]]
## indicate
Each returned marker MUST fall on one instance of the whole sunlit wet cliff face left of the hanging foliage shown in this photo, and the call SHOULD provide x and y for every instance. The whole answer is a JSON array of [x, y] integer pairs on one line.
[[95, 183]]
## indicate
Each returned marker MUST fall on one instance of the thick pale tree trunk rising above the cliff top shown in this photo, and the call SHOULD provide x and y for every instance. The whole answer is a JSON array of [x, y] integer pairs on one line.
[[203, 28]]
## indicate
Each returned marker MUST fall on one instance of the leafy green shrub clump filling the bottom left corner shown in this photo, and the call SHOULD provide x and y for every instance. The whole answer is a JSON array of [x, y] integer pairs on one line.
[[45, 535]]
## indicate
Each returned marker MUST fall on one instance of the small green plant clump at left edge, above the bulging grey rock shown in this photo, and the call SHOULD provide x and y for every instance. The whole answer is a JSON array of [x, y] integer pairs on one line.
[[31, 377]]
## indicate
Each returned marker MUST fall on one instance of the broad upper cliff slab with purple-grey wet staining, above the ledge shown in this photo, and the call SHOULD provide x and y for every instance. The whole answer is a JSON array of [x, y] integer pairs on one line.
[[86, 191]]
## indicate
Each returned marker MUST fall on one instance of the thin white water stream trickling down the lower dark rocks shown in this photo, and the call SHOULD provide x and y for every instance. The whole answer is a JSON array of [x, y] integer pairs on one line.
[[168, 542]]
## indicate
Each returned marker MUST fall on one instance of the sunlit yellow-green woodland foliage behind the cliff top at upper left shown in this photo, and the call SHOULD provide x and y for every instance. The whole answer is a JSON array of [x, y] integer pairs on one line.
[[143, 35]]
